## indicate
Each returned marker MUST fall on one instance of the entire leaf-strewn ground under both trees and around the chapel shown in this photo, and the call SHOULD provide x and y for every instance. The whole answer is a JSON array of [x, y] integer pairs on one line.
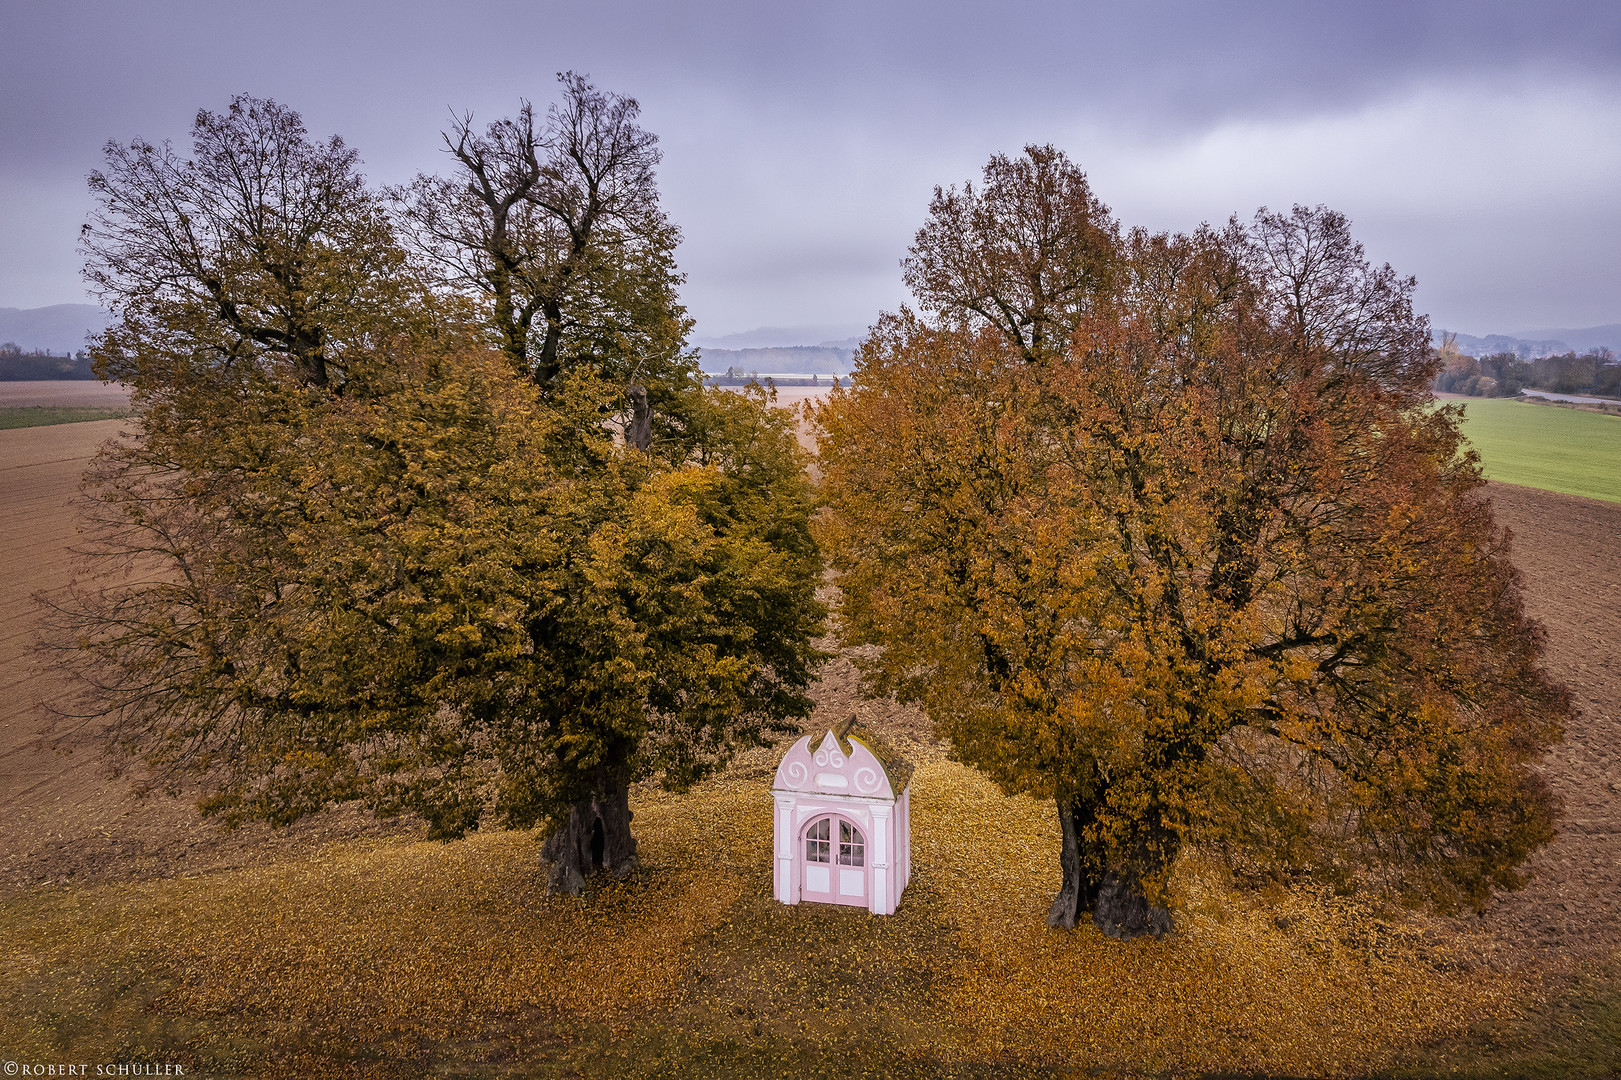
[[403, 958]]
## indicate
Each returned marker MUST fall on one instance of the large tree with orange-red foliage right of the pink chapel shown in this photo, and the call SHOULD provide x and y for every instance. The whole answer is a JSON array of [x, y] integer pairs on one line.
[[1208, 568]]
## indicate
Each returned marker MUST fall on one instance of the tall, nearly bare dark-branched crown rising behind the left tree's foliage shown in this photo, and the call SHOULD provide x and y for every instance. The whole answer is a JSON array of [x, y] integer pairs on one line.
[[555, 231]]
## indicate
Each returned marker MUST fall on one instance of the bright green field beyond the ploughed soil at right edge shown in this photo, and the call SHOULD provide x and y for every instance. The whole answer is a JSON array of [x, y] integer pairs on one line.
[[1546, 447]]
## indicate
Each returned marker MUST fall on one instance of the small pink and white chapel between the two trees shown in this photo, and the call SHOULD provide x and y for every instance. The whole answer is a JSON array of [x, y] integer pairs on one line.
[[844, 821]]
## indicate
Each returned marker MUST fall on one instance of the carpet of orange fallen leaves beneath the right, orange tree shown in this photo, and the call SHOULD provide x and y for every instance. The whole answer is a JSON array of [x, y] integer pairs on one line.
[[1299, 985]]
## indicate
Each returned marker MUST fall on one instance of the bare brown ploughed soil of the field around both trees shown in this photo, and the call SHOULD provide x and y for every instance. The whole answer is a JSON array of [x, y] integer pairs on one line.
[[64, 820]]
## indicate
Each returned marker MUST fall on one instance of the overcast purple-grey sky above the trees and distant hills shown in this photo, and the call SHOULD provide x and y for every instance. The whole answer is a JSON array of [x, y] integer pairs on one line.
[[1474, 145]]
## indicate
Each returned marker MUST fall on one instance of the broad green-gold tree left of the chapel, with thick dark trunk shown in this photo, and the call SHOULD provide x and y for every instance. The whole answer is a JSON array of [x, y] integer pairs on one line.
[[353, 552]]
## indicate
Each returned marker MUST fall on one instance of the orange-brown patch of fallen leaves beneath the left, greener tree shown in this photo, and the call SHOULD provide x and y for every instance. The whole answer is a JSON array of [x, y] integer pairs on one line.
[[432, 935]]
